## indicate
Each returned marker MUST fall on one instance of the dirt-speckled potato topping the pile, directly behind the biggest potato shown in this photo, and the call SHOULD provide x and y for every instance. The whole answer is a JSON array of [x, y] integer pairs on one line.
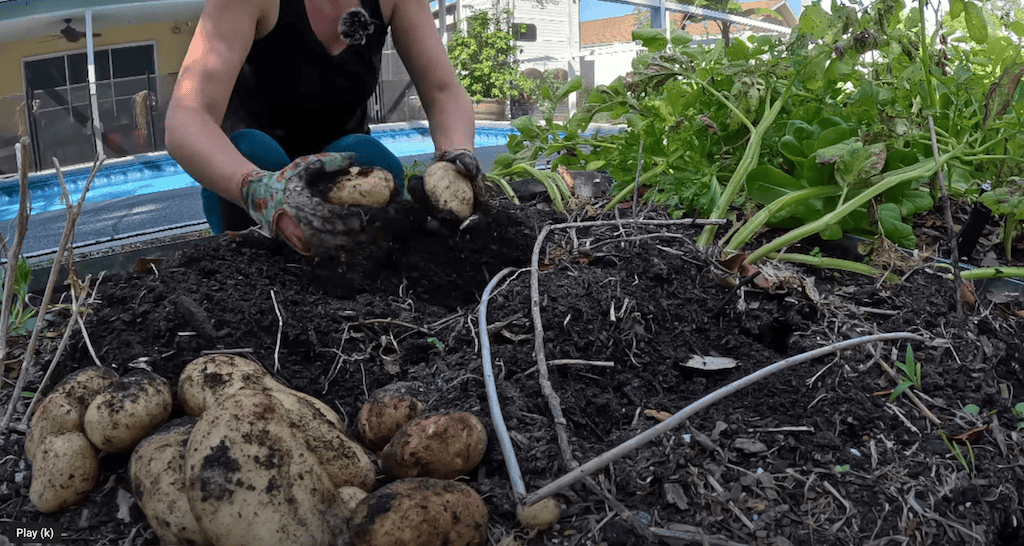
[[208, 379]]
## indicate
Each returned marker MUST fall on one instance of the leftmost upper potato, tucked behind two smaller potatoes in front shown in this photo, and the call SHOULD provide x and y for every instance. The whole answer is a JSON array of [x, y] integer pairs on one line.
[[64, 409]]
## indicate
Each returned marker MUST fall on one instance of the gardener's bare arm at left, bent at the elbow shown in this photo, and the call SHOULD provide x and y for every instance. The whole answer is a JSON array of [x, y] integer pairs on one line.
[[194, 138]]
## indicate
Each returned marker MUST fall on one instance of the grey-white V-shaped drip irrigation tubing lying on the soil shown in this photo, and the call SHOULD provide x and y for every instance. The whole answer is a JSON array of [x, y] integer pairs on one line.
[[516, 476]]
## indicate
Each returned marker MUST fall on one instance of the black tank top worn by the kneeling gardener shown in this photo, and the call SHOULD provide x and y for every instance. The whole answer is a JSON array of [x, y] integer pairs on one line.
[[293, 90]]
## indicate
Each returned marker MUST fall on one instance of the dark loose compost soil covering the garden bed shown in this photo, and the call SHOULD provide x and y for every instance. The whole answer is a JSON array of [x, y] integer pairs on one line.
[[815, 455]]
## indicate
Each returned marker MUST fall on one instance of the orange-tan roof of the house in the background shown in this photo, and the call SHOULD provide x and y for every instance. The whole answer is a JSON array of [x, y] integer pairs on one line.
[[621, 29]]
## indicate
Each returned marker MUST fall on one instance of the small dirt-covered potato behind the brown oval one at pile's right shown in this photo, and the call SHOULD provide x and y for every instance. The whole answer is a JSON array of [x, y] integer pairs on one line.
[[388, 411]]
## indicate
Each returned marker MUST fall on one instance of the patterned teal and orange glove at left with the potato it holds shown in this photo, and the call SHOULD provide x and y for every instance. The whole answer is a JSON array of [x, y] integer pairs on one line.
[[317, 202]]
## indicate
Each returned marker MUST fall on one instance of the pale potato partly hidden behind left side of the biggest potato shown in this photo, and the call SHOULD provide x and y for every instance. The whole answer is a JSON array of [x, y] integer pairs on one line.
[[158, 481]]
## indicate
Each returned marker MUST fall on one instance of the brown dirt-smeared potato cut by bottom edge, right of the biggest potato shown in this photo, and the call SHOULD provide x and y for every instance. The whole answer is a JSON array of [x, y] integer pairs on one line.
[[420, 512]]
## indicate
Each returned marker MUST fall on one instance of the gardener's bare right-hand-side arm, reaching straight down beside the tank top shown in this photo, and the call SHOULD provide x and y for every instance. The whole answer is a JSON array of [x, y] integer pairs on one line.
[[445, 101]]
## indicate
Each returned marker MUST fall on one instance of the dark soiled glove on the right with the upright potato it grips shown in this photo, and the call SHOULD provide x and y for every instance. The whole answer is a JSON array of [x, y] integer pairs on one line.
[[453, 187]]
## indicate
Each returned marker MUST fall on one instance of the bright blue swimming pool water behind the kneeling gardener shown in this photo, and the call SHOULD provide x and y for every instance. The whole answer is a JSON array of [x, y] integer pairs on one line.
[[147, 175]]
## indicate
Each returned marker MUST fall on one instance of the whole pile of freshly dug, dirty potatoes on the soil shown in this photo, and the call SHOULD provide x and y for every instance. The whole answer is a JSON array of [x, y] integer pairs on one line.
[[255, 463]]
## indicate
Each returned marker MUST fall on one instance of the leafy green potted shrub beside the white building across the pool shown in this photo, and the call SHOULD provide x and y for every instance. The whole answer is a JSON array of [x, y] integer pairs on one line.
[[485, 57]]
